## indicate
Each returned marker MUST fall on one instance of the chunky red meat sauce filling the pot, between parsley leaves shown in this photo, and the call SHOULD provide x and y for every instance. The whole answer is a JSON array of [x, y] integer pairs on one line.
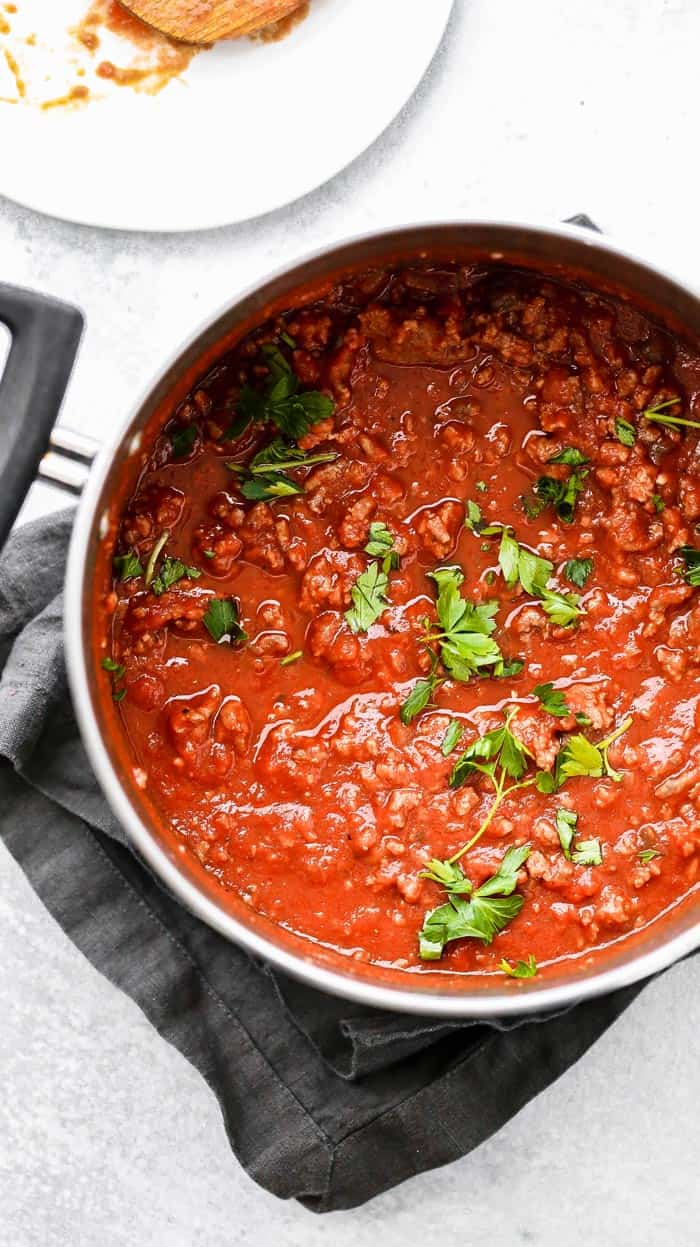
[[298, 786]]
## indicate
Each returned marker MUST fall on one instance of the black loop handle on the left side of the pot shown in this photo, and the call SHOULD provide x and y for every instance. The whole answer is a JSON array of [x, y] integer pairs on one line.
[[46, 336]]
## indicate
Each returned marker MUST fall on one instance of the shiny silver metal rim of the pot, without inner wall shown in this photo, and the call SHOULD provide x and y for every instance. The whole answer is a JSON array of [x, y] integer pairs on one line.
[[434, 1001]]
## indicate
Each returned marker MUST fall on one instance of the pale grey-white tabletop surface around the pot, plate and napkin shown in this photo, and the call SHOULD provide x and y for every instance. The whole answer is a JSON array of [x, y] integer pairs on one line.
[[108, 1138]]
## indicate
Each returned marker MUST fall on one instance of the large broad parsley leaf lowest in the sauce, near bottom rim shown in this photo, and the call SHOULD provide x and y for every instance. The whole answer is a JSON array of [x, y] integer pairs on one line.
[[472, 913]]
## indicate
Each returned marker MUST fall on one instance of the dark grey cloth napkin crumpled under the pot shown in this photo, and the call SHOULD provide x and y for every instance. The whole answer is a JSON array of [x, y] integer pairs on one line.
[[324, 1100]]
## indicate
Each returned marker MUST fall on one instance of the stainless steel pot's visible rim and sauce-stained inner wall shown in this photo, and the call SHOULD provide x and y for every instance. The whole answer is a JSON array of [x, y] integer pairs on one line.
[[436, 992]]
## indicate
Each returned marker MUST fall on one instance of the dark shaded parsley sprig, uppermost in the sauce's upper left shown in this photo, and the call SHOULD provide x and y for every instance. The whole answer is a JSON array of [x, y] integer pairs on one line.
[[281, 403]]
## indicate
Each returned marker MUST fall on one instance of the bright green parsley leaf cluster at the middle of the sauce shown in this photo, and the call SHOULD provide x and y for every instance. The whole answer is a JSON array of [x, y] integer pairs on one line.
[[466, 630]]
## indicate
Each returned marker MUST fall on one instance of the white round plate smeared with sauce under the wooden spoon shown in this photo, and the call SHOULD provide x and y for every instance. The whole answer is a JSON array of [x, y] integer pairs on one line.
[[248, 129]]
